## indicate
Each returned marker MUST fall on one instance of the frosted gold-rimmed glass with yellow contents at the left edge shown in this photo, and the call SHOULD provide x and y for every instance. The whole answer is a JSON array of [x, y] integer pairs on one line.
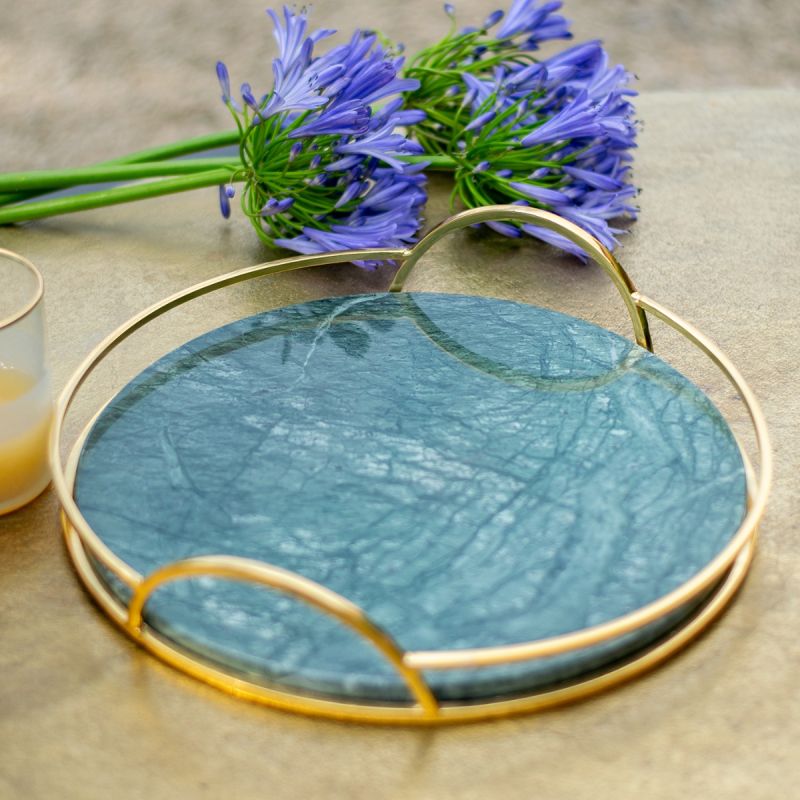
[[25, 405]]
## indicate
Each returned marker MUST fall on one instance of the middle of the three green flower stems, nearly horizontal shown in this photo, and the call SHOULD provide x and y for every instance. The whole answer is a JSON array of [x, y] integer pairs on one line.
[[64, 178]]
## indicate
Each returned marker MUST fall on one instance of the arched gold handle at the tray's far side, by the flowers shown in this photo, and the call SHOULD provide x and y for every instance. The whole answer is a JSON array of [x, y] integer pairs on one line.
[[591, 246]]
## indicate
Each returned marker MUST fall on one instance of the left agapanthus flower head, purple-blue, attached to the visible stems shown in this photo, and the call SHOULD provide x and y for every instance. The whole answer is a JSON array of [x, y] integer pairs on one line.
[[321, 152]]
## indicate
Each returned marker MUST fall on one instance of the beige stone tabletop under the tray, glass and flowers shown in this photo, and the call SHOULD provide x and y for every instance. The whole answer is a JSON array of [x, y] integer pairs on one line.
[[85, 714]]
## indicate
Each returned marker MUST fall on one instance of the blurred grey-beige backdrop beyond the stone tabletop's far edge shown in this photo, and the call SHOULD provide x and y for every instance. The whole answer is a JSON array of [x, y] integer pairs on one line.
[[92, 79]]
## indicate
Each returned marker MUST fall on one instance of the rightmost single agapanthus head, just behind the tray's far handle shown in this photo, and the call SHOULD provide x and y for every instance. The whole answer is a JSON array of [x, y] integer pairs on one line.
[[573, 114]]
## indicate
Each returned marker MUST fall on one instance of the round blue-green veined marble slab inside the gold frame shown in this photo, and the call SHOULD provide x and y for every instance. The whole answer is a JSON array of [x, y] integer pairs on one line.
[[470, 471]]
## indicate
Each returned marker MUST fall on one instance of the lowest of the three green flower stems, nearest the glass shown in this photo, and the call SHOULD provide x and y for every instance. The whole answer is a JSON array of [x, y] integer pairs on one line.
[[108, 197]]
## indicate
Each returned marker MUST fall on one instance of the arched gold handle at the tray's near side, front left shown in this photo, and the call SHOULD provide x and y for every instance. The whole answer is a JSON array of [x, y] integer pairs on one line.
[[294, 585]]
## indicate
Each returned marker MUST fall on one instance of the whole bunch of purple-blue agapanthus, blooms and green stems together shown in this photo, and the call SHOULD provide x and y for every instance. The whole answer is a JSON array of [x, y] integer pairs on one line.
[[331, 157]]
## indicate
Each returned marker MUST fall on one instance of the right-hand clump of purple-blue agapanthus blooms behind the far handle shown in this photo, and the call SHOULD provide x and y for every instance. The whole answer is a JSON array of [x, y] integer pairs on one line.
[[554, 134]]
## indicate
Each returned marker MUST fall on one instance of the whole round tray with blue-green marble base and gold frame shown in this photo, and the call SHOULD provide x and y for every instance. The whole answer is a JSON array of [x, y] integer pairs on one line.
[[412, 507]]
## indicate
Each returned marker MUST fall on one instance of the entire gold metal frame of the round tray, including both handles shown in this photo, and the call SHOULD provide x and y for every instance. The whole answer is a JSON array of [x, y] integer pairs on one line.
[[719, 579]]
